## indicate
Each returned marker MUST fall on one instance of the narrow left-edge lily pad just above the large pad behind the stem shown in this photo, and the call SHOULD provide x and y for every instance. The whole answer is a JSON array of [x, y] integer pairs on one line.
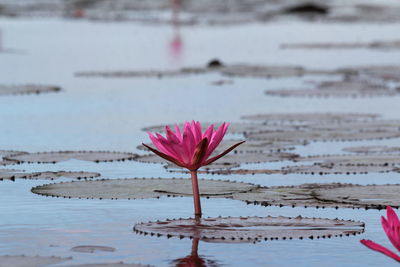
[[6, 174]]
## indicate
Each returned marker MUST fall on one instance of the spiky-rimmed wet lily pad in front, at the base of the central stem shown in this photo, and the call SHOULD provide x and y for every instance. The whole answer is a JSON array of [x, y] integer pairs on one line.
[[250, 229]]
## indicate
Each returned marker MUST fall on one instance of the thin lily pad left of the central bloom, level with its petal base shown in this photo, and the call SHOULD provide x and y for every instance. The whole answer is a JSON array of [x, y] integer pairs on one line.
[[54, 157]]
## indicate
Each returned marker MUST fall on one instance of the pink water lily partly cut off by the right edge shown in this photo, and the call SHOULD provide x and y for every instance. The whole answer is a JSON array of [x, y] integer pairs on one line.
[[391, 225]]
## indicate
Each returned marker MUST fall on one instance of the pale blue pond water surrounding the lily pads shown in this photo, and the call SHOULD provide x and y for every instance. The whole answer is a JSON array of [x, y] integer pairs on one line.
[[108, 114]]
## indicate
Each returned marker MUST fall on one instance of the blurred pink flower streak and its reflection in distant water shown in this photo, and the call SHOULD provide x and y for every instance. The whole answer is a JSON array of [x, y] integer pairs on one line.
[[176, 43]]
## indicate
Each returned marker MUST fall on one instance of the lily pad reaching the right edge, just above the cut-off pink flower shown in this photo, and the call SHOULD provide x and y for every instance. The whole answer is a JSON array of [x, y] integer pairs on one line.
[[334, 195]]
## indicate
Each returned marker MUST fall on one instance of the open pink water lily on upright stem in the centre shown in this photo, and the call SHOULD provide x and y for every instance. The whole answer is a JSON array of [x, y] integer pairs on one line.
[[191, 149]]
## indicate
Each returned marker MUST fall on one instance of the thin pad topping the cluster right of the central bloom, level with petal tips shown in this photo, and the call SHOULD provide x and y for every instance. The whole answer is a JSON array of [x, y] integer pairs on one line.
[[310, 118]]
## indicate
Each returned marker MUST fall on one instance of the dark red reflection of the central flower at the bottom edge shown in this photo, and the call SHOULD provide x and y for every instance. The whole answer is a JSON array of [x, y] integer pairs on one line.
[[194, 260]]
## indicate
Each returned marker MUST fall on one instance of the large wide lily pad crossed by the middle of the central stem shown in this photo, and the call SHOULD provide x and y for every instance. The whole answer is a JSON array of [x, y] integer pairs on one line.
[[139, 188]]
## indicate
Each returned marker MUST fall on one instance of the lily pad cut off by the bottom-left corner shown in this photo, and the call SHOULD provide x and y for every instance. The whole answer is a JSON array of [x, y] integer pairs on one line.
[[30, 261]]
